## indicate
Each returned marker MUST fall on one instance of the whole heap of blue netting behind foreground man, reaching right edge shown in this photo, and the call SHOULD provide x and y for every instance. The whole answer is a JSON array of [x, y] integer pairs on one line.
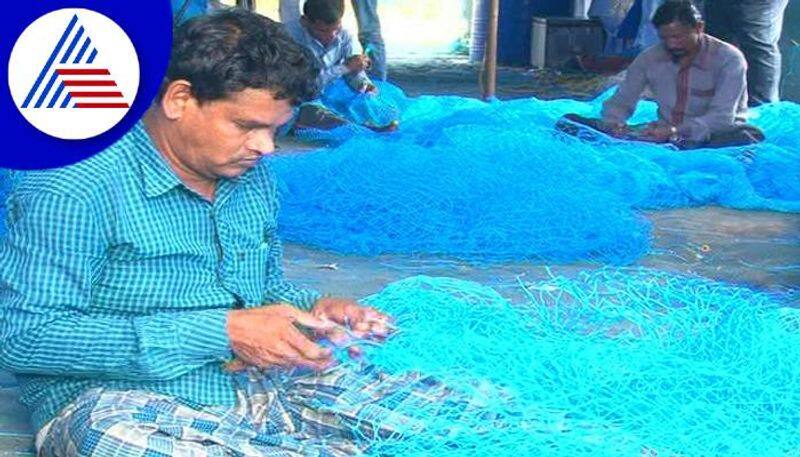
[[495, 181]]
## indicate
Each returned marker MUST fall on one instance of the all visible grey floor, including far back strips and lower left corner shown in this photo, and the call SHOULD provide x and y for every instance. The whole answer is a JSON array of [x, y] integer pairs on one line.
[[760, 249]]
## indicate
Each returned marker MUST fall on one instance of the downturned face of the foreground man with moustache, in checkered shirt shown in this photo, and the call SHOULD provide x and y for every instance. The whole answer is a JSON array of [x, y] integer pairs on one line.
[[225, 138]]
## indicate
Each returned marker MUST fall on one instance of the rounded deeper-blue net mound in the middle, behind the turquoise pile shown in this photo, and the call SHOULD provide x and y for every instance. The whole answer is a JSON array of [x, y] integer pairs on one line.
[[507, 202]]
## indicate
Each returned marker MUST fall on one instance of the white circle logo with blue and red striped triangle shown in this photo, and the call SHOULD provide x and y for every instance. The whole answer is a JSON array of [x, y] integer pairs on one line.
[[73, 73]]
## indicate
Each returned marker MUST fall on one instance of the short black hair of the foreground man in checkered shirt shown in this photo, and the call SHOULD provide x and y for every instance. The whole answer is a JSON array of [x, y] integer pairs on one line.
[[233, 49]]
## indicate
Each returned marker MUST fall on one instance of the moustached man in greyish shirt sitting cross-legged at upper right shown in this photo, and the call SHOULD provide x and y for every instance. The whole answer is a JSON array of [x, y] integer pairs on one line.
[[698, 81]]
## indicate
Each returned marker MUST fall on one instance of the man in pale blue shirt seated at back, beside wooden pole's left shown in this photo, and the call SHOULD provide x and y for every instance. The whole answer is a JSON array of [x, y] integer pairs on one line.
[[320, 30]]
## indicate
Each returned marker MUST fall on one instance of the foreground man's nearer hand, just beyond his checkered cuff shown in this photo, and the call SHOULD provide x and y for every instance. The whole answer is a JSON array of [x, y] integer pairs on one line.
[[267, 337]]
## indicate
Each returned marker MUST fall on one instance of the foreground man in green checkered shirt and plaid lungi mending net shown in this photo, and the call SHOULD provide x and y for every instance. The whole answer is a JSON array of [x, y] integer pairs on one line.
[[142, 302]]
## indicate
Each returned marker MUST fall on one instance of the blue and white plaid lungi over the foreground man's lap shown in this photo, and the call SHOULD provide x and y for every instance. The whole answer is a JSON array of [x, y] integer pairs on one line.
[[336, 413]]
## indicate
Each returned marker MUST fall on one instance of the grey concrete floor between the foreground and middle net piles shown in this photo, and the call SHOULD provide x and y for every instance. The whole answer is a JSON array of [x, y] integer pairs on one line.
[[760, 250]]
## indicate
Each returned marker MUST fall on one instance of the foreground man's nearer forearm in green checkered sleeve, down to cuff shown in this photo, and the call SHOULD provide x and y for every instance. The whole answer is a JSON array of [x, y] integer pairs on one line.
[[147, 348]]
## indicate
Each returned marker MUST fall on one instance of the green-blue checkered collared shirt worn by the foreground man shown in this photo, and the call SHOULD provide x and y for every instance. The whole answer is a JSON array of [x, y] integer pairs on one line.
[[114, 274]]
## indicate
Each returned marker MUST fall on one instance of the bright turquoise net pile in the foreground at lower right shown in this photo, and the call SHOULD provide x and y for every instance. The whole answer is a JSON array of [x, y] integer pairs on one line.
[[613, 363]]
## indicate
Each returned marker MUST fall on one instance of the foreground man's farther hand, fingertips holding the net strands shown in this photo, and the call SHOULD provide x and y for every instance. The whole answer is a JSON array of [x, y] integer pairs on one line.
[[363, 321]]
